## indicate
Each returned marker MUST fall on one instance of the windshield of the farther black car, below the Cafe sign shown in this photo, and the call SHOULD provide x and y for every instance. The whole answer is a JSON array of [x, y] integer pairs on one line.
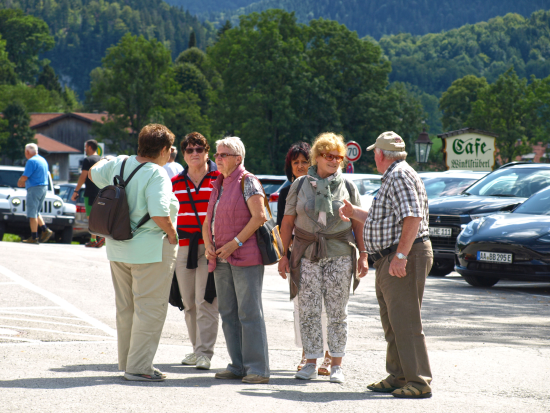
[[520, 182]]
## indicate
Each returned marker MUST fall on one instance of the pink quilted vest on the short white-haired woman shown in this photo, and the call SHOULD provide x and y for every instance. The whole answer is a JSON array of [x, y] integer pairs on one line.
[[232, 215]]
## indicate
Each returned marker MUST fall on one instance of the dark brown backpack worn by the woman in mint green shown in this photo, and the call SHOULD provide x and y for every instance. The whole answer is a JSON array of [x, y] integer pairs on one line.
[[110, 216]]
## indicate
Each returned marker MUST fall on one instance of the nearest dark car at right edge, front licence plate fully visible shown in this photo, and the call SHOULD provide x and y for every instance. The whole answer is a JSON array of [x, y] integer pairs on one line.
[[514, 246]]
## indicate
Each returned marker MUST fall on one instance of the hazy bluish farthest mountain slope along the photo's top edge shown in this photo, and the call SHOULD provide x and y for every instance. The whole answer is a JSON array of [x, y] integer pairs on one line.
[[377, 18]]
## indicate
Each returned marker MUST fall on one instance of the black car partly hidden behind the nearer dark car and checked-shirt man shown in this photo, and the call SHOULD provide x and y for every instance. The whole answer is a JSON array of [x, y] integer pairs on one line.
[[501, 190]]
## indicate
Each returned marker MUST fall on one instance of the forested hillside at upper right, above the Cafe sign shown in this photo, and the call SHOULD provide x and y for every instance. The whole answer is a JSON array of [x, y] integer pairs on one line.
[[432, 62]]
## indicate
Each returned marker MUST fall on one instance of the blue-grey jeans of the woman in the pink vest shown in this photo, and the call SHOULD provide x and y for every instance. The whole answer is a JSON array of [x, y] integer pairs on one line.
[[239, 291]]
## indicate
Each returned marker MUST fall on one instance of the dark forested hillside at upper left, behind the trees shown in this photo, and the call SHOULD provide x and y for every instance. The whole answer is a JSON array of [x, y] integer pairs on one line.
[[84, 29]]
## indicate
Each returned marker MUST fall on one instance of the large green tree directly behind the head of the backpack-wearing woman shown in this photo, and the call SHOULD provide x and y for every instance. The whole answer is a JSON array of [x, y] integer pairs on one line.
[[136, 86]]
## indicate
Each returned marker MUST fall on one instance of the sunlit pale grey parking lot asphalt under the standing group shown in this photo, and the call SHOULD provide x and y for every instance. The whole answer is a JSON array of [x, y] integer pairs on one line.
[[489, 347]]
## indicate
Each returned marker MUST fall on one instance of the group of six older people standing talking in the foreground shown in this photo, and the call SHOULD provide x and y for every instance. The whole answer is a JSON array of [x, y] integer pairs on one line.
[[203, 226]]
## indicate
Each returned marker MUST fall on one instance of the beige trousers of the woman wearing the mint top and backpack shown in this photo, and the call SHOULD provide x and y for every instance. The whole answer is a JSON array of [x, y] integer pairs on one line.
[[141, 295]]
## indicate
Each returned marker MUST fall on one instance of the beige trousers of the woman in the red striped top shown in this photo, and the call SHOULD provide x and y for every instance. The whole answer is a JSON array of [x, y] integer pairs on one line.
[[201, 317]]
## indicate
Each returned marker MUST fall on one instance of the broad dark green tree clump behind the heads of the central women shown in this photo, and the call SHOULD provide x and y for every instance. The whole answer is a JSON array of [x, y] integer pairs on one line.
[[285, 82]]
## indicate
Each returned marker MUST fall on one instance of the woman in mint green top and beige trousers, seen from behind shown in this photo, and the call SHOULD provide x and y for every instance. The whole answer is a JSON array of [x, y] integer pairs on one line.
[[143, 266]]
